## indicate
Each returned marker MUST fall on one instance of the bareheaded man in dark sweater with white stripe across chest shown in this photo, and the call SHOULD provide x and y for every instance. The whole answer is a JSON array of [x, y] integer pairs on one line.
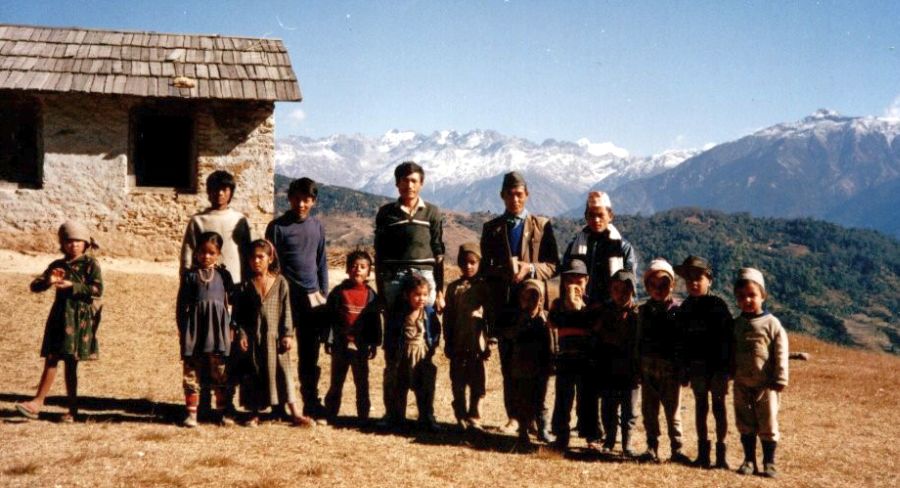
[[408, 240]]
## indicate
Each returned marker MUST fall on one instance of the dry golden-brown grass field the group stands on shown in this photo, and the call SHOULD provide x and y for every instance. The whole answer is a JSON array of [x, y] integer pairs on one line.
[[838, 418]]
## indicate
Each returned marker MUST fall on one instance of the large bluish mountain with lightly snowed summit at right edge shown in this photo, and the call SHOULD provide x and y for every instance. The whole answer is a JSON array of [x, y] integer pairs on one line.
[[837, 168]]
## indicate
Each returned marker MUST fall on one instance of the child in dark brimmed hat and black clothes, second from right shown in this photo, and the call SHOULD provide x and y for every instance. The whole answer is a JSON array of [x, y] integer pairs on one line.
[[707, 325]]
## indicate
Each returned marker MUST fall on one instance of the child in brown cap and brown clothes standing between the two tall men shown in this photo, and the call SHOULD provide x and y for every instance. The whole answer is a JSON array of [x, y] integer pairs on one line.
[[465, 336]]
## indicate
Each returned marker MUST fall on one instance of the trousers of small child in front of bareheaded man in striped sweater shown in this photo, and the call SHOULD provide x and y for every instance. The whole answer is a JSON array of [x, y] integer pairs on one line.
[[411, 369]]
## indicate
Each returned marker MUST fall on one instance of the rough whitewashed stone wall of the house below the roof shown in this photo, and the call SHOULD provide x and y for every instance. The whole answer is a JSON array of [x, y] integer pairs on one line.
[[86, 176]]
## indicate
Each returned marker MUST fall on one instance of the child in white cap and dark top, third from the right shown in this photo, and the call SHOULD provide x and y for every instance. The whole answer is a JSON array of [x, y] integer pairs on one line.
[[659, 349]]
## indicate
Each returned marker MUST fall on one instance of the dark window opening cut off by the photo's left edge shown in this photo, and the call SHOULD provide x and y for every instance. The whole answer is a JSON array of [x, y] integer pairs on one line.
[[21, 155]]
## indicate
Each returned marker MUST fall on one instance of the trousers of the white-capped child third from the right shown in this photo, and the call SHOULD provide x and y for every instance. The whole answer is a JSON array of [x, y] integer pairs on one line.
[[660, 386]]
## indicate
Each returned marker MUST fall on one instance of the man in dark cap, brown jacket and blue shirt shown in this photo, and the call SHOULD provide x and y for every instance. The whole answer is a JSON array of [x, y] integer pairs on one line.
[[515, 247]]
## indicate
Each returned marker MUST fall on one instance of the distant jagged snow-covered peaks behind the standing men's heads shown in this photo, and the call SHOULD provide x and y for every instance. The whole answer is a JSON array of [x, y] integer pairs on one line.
[[464, 170]]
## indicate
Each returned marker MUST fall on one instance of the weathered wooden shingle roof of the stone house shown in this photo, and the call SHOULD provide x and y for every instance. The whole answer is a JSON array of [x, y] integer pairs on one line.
[[146, 64]]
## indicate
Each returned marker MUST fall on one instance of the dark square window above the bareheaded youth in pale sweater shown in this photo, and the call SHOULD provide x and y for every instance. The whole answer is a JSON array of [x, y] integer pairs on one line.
[[163, 149]]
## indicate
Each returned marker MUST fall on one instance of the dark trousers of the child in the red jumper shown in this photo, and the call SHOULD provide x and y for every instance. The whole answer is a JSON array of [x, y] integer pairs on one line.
[[356, 361]]
